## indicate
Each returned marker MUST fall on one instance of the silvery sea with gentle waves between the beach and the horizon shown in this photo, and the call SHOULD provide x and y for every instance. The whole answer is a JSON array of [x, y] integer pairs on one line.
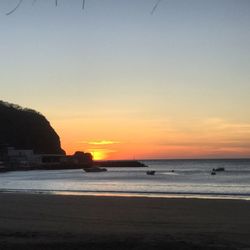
[[172, 178]]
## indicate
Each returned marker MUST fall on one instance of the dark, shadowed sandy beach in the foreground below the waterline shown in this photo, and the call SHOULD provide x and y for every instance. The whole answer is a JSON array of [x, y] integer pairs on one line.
[[29, 221]]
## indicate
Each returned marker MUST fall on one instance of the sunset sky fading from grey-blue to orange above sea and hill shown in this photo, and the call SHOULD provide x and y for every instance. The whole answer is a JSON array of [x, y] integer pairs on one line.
[[123, 83]]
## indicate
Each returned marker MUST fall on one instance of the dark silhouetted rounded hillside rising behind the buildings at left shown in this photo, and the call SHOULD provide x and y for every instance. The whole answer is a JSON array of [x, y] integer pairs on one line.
[[27, 129]]
